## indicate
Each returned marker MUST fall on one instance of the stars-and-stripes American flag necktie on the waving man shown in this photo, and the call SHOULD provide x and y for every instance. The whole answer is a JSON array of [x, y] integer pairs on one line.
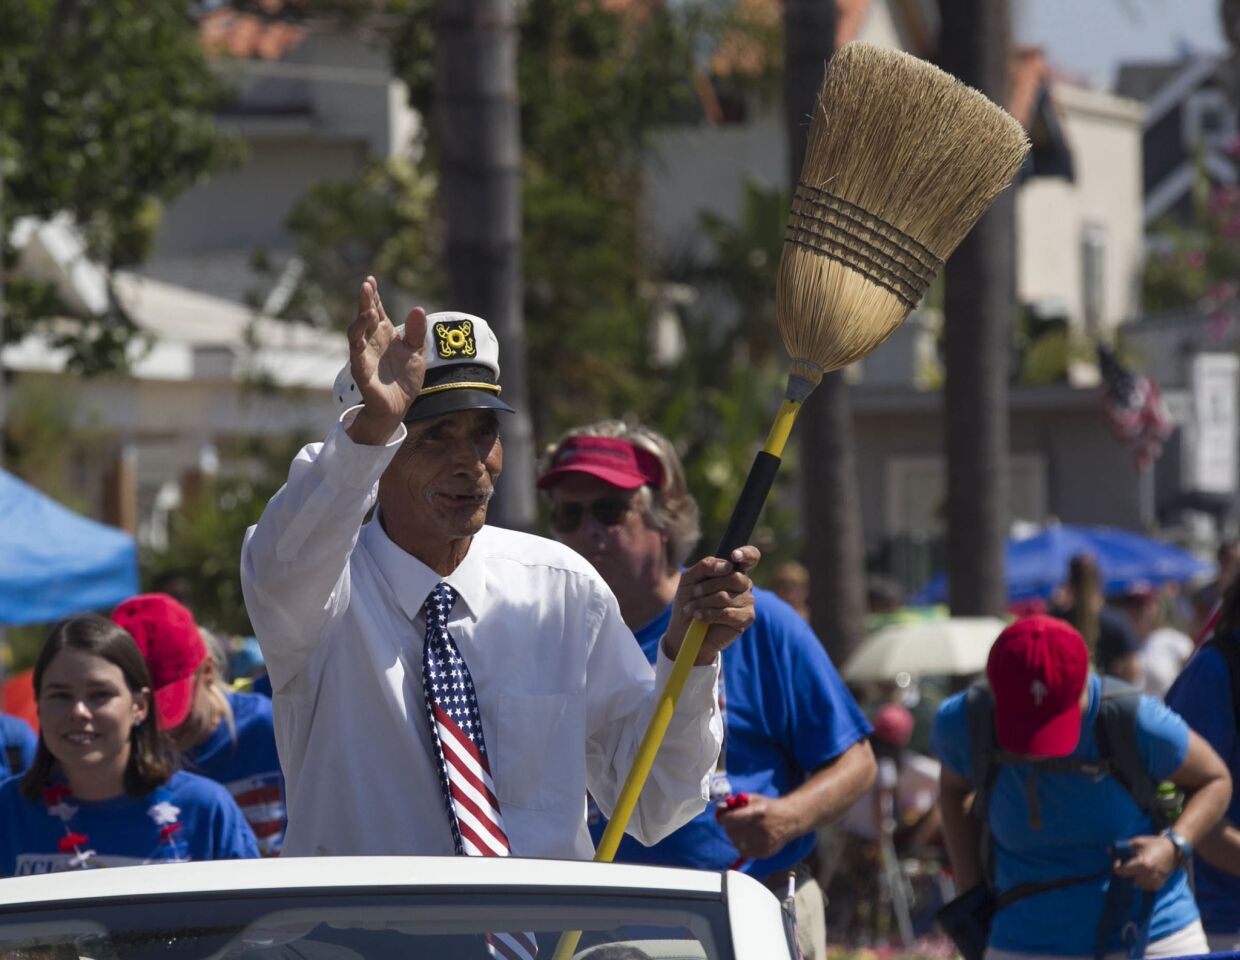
[[464, 768]]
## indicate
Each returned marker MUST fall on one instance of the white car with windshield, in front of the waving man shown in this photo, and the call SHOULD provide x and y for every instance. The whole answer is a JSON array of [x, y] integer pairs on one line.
[[390, 909]]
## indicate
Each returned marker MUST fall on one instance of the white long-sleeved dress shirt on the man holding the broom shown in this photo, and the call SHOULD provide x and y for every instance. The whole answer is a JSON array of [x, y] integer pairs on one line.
[[564, 688]]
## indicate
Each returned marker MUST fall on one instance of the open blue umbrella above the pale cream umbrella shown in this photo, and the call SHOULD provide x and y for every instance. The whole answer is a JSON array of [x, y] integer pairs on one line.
[[1036, 566]]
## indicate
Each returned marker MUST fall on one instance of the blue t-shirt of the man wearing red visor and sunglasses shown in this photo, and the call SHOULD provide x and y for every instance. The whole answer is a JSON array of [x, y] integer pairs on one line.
[[788, 714]]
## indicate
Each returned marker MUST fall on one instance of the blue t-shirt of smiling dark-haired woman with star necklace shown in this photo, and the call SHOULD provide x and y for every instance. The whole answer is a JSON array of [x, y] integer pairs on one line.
[[190, 818]]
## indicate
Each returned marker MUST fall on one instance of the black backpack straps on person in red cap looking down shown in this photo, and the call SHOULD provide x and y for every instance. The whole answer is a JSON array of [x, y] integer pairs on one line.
[[1115, 730]]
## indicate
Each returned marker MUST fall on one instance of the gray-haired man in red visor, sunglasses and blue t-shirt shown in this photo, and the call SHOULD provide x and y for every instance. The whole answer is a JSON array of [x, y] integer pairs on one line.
[[795, 753]]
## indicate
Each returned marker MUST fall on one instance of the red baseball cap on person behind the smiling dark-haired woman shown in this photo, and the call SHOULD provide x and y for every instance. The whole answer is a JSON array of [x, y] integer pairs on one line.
[[172, 647]]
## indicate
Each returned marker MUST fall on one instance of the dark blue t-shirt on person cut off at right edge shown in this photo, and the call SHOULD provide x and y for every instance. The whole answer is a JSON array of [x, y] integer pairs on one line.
[[1202, 695]]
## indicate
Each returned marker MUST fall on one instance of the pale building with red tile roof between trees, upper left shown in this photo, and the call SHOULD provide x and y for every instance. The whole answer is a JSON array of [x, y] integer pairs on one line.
[[313, 106]]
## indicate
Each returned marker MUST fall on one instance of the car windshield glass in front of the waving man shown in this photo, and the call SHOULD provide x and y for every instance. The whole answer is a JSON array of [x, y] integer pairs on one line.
[[368, 926]]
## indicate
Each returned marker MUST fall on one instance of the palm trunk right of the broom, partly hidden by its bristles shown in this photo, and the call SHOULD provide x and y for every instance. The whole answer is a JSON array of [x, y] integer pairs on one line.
[[980, 293]]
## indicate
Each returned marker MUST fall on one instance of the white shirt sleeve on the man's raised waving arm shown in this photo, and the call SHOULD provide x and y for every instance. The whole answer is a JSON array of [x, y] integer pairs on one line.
[[294, 566]]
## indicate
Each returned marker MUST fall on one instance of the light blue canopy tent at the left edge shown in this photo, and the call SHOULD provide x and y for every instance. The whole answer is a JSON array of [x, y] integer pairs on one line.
[[56, 564]]
